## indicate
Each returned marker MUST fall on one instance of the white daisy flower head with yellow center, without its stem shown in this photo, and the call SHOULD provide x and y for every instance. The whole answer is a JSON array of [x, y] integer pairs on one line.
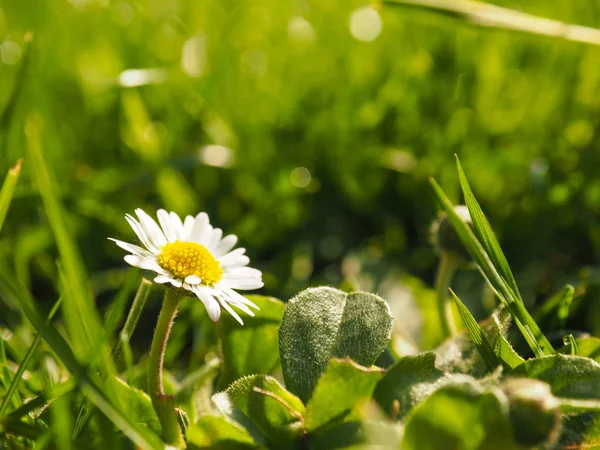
[[196, 257]]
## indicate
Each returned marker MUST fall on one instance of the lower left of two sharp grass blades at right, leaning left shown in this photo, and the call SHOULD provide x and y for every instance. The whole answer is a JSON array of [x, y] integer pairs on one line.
[[528, 327]]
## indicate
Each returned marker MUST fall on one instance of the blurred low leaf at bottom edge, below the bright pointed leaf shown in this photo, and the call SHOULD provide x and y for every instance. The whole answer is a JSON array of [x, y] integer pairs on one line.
[[358, 435]]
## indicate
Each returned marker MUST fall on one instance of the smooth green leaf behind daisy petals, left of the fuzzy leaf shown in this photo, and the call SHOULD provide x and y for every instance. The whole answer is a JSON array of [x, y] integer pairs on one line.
[[253, 347]]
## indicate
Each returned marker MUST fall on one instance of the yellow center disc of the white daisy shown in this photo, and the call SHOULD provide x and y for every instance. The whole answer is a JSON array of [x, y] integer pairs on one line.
[[183, 259]]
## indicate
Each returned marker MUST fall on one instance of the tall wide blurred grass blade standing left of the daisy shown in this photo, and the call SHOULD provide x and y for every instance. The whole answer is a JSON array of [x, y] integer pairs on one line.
[[80, 314]]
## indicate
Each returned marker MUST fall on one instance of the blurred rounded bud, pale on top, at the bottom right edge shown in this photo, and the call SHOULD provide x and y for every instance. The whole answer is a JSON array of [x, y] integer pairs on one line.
[[533, 410]]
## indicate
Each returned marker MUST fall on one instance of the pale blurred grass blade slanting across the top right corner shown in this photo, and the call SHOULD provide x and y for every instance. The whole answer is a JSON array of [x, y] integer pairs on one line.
[[492, 16]]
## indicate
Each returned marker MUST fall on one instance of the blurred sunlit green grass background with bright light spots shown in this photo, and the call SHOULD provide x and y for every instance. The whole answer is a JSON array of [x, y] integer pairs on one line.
[[310, 130]]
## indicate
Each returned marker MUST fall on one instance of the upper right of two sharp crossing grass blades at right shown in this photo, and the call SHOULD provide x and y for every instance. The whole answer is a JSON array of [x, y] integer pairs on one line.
[[484, 232]]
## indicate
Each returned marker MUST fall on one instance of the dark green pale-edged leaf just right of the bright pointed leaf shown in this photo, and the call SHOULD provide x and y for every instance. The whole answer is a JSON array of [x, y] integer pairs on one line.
[[408, 382]]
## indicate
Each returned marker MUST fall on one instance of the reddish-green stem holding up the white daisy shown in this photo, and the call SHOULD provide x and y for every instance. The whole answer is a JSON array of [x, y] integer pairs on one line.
[[164, 405]]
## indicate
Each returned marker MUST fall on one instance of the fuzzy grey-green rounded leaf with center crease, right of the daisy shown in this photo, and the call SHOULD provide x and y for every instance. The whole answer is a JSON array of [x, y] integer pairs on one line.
[[324, 323]]
